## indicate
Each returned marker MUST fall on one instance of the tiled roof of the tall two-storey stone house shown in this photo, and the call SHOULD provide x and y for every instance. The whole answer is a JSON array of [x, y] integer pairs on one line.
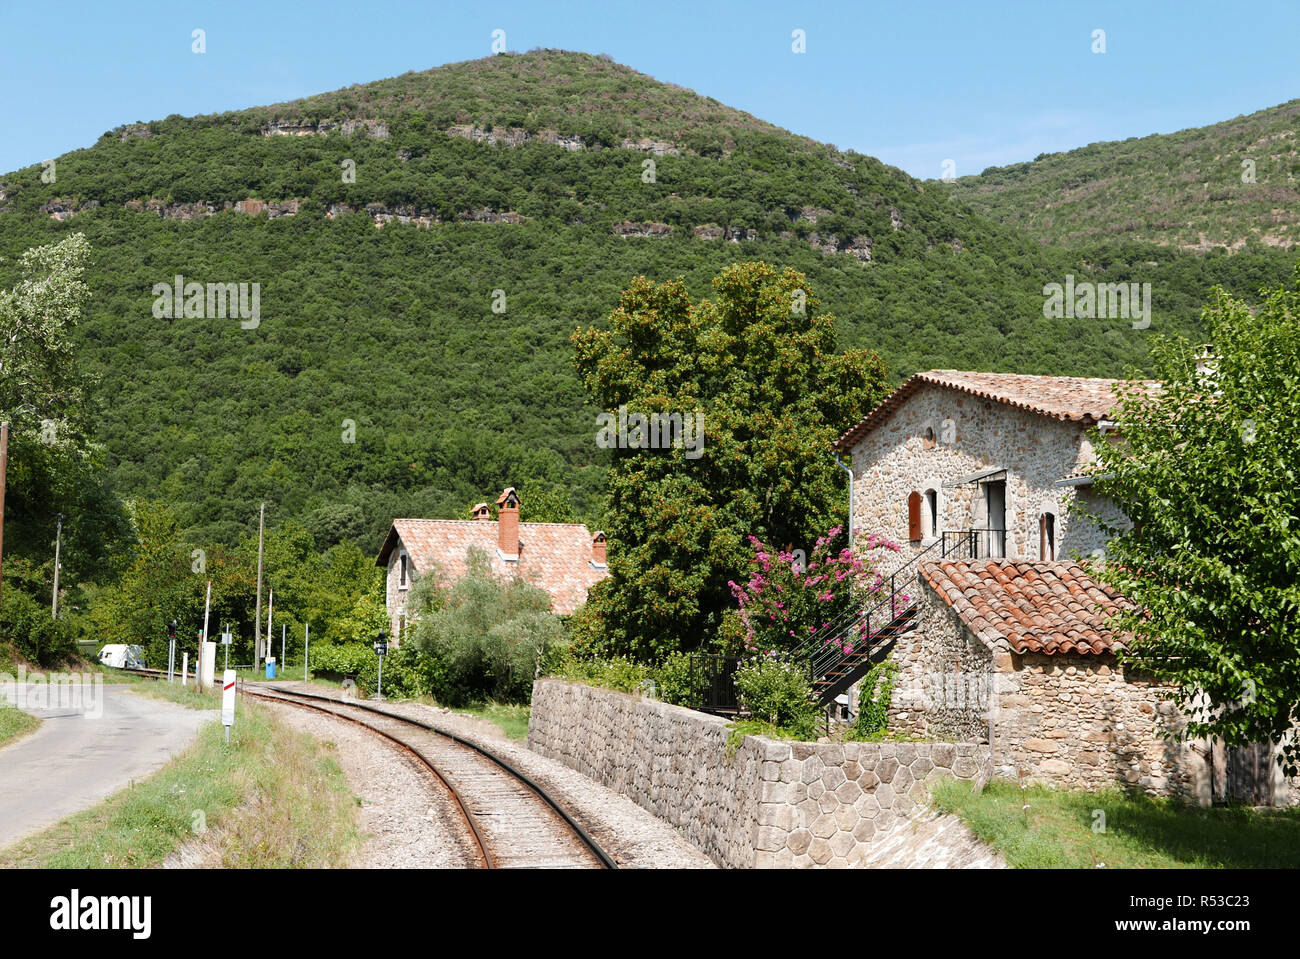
[[1082, 400]]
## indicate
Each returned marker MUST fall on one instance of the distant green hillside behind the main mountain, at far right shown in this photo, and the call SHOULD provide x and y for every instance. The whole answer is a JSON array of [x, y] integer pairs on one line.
[[1233, 185]]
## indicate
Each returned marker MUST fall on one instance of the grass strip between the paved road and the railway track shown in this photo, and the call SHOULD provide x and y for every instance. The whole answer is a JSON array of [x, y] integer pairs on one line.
[[272, 799]]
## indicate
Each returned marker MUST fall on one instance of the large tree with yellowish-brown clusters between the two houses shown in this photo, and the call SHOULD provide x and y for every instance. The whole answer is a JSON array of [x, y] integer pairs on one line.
[[760, 364]]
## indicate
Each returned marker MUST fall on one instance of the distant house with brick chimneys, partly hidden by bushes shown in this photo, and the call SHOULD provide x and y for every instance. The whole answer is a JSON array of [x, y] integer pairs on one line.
[[562, 558]]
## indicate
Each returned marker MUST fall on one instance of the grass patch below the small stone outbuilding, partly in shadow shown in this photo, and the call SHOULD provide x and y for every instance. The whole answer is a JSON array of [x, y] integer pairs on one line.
[[1120, 831]]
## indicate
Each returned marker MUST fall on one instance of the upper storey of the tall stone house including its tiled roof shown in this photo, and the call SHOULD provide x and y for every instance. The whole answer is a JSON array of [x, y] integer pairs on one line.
[[996, 458]]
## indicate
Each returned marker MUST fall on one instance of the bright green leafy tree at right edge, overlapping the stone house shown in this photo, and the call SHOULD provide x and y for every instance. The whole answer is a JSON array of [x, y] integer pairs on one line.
[[1208, 470]]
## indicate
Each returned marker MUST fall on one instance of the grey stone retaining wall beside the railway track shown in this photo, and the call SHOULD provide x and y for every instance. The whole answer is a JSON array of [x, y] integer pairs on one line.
[[769, 804]]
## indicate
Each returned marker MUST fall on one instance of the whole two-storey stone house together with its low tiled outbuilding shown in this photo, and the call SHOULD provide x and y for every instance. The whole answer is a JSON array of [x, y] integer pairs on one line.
[[1006, 639]]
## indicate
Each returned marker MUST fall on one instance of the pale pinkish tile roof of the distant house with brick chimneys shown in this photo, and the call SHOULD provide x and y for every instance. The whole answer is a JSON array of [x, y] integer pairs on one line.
[[557, 557]]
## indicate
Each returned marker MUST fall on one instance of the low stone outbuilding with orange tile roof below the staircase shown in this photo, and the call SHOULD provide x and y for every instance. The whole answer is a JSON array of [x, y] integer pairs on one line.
[[1019, 656]]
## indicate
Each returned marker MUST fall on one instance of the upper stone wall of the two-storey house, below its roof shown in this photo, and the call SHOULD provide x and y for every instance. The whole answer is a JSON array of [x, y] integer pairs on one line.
[[972, 435]]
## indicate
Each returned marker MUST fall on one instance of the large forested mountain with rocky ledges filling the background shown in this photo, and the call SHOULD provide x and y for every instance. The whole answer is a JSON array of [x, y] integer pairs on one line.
[[426, 246]]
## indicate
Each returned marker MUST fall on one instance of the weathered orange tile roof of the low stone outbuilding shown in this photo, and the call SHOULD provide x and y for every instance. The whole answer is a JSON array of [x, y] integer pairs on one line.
[[1037, 607]]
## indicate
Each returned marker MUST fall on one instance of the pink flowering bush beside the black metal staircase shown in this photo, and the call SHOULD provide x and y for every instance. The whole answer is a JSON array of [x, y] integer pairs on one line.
[[786, 605]]
